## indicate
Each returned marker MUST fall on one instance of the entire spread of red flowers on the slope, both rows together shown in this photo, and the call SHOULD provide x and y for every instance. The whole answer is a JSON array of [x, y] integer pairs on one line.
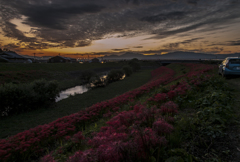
[[128, 133]]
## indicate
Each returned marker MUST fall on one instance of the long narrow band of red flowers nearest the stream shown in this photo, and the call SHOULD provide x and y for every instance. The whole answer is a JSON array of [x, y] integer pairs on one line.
[[35, 139]]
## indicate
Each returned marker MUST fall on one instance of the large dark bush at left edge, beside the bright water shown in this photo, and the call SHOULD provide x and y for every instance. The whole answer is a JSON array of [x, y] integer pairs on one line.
[[16, 99]]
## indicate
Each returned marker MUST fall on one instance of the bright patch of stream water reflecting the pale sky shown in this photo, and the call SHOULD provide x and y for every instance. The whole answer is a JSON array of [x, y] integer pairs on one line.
[[72, 91]]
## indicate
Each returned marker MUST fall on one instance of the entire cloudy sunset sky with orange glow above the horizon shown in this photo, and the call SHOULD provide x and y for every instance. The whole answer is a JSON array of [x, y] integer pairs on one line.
[[104, 27]]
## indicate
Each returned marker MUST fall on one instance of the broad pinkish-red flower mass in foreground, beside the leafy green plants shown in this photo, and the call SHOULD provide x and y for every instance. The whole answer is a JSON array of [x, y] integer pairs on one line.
[[130, 134]]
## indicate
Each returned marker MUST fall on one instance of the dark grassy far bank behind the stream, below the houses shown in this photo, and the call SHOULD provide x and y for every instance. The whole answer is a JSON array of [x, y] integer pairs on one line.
[[67, 74]]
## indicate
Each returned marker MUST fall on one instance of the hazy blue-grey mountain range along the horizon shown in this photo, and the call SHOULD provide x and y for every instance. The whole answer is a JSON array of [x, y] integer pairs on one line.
[[174, 55]]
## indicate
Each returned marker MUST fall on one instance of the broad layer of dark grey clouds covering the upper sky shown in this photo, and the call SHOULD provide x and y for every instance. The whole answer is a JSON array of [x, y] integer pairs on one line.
[[63, 23]]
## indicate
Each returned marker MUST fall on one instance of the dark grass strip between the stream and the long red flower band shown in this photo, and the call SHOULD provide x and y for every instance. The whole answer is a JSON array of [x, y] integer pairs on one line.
[[18, 123]]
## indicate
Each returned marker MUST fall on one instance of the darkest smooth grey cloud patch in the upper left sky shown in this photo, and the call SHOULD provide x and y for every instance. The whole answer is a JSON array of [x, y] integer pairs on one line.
[[54, 17]]
